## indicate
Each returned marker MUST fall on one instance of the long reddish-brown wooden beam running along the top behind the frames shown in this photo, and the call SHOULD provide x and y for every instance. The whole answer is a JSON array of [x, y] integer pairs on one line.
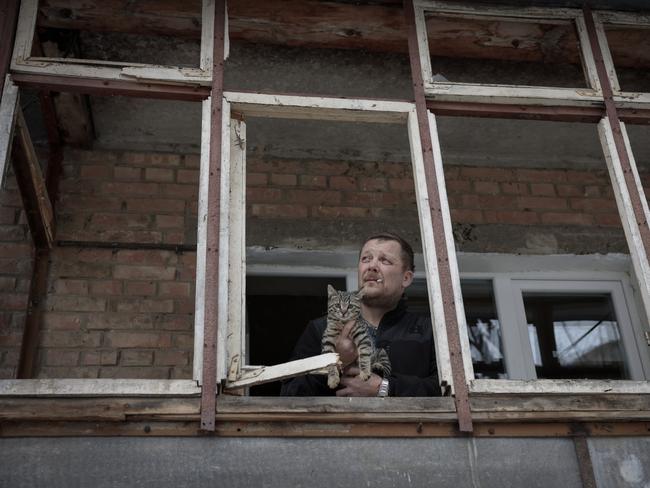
[[372, 26]]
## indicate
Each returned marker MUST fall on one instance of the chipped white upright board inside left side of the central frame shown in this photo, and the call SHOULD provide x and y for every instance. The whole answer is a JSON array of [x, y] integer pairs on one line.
[[236, 218]]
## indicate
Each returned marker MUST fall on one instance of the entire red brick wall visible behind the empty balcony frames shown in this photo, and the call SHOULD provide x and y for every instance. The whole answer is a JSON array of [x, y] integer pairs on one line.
[[129, 313]]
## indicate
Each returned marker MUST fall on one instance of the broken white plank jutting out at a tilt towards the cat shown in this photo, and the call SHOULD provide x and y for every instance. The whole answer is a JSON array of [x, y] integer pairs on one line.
[[266, 374]]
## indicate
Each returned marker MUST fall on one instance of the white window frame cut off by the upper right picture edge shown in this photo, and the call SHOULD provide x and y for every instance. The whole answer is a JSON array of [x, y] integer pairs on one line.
[[623, 99]]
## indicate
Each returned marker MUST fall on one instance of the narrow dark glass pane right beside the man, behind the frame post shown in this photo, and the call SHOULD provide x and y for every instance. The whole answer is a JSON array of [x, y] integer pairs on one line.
[[483, 326]]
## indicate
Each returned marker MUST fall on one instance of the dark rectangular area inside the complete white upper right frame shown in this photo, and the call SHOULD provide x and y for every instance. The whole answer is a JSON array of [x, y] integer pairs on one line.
[[510, 52]]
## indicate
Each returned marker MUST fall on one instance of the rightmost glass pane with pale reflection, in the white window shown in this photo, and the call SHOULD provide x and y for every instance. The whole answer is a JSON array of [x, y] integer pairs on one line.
[[574, 336]]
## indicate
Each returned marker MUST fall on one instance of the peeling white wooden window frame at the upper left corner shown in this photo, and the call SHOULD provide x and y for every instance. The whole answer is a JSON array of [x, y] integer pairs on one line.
[[23, 62]]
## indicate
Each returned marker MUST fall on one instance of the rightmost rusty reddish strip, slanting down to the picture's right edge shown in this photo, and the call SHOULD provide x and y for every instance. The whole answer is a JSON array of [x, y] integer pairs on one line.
[[614, 121]]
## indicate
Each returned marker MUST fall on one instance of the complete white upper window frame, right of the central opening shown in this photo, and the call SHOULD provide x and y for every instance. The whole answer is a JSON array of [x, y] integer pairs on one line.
[[503, 93]]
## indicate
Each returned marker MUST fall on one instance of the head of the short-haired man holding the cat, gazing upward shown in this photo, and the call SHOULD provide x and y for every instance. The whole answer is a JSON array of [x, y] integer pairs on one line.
[[383, 273]]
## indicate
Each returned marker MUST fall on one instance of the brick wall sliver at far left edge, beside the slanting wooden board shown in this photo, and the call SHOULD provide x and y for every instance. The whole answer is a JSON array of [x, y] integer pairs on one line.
[[15, 275]]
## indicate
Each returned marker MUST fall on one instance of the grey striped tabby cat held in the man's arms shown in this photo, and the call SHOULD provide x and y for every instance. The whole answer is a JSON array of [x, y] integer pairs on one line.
[[342, 307]]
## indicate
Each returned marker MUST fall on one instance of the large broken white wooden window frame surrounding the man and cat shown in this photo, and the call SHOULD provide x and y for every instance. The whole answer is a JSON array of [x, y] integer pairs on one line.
[[231, 335]]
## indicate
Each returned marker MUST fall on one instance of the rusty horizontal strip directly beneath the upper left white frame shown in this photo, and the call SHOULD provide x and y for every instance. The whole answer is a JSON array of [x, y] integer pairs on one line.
[[90, 86]]
